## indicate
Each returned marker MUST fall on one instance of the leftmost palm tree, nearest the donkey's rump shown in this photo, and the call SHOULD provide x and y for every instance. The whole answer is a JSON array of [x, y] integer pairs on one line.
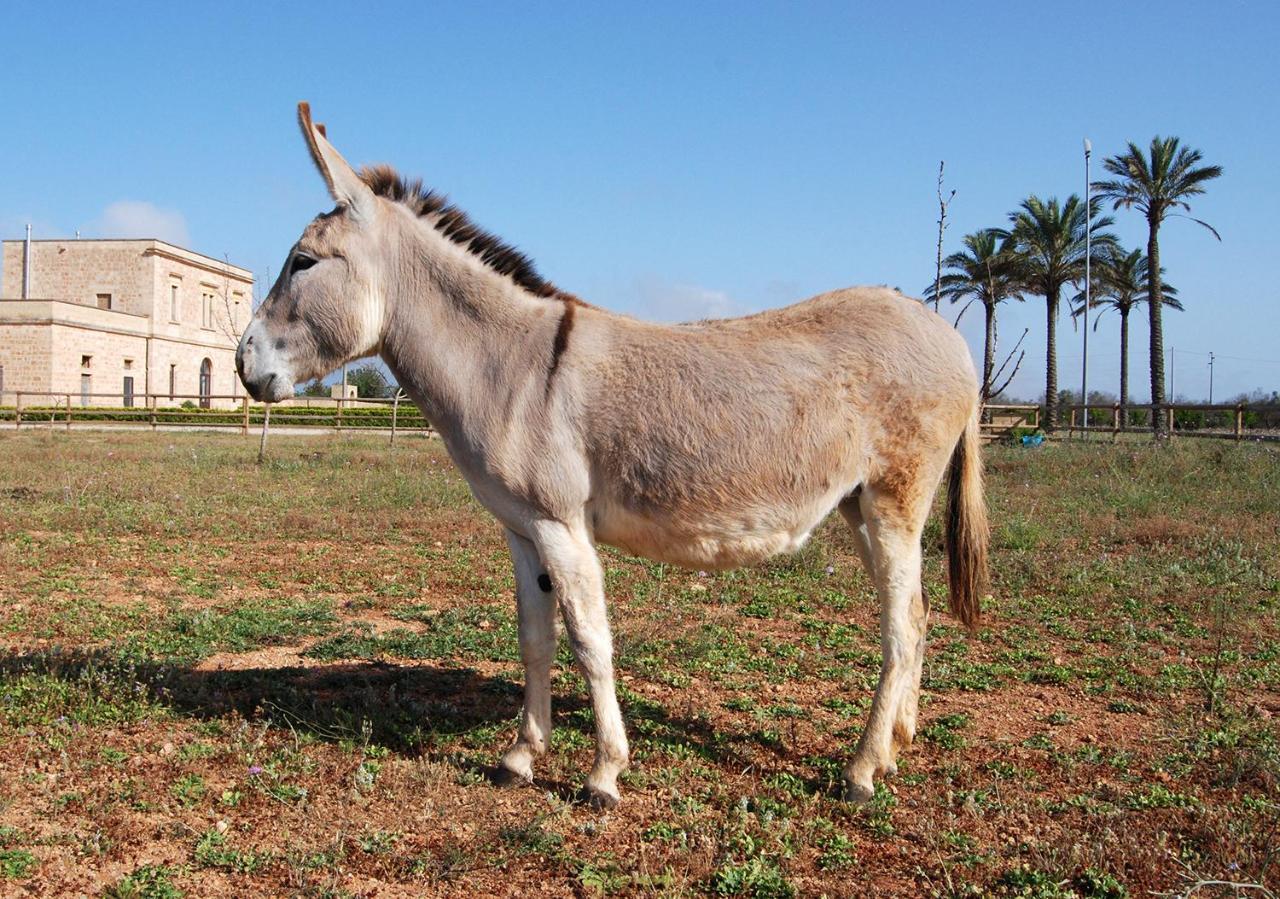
[[985, 272]]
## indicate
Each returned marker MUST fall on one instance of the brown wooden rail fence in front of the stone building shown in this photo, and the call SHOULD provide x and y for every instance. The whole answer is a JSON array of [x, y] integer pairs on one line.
[[223, 412]]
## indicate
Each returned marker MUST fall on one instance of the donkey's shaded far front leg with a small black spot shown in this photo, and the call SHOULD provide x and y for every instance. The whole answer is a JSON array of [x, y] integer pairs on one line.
[[537, 613]]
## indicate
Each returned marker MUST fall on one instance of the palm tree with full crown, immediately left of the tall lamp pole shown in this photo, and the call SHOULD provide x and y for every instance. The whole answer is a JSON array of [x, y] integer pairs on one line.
[[1050, 249]]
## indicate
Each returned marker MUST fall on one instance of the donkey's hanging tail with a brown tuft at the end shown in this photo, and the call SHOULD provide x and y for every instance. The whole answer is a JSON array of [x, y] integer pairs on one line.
[[967, 528]]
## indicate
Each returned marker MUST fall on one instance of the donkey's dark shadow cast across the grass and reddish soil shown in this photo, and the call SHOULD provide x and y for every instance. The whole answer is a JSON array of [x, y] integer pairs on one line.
[[412, 710]]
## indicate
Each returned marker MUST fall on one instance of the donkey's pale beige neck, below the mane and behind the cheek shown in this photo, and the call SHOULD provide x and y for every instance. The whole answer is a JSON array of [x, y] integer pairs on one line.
[[465, 341]]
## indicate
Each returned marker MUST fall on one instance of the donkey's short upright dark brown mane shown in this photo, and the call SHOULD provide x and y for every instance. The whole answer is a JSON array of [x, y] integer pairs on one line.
[[459, 227]]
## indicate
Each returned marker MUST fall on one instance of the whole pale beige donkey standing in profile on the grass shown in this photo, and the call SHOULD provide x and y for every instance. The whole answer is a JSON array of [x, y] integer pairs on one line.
[[706, 445]]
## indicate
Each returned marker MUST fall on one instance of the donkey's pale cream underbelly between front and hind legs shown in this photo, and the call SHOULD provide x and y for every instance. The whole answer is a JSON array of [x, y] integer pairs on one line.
[[725, 541]]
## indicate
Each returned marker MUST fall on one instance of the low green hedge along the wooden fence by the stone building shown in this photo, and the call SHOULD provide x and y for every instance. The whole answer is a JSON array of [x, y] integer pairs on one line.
[[285, 417]]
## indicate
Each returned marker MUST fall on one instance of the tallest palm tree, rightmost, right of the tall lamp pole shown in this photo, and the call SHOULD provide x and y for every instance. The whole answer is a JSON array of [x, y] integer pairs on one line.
[[1158, 186]]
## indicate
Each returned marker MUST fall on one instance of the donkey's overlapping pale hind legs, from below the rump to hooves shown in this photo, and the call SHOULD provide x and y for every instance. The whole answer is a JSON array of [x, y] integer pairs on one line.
[[888, 533]]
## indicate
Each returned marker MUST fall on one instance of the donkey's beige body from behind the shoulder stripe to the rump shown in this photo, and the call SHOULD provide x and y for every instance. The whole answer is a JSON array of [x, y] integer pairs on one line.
[[721, 442]]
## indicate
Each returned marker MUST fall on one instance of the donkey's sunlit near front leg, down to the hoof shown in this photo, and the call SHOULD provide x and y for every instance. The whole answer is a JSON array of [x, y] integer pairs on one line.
[[579, 582]]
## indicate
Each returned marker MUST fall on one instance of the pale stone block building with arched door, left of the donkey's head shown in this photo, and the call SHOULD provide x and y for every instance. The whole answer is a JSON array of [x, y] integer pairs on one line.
[[109, 323]]
